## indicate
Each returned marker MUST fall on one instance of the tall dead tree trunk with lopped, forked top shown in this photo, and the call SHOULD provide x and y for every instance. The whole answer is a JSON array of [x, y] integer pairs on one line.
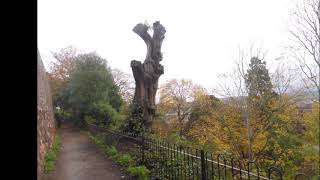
[[146, 74]]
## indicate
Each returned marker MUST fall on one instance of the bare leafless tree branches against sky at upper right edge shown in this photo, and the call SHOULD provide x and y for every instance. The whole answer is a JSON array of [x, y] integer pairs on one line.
[[305, 50]]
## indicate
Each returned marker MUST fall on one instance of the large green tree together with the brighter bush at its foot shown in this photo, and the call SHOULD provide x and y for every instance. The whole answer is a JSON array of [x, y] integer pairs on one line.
[[91, 91]]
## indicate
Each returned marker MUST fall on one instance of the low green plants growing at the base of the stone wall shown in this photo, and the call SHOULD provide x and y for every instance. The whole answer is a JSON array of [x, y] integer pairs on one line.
[[51, 155]]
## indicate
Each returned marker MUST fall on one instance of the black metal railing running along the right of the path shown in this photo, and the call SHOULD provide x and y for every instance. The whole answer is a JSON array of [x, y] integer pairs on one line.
[[170, 161]]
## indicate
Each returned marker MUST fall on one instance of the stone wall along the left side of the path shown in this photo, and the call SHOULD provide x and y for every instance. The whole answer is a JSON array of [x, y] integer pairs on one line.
[[45, 118]]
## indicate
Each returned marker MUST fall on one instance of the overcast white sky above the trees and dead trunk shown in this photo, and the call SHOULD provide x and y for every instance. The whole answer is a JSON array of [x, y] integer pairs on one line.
[[201, 41]]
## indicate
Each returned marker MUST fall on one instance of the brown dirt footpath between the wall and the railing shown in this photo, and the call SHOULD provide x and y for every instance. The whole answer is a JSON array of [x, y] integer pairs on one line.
[[79, 159]]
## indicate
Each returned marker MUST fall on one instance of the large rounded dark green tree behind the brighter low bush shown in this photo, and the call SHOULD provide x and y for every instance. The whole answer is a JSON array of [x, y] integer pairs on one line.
[[91, 83]]
